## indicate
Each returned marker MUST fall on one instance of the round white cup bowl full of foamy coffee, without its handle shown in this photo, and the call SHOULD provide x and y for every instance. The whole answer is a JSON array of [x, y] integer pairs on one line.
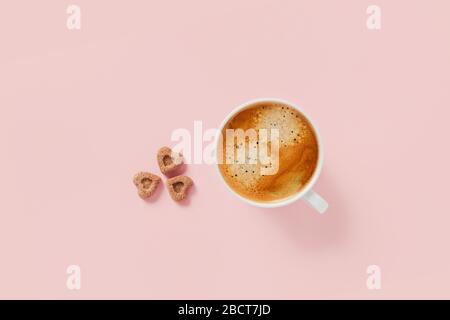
[[266, 128]]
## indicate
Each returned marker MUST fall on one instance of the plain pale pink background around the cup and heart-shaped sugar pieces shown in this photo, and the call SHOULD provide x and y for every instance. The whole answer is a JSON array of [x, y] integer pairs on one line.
[[82, 111]]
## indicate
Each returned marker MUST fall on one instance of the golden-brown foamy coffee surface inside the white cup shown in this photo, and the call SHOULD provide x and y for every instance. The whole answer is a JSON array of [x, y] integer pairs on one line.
[[298, 153]]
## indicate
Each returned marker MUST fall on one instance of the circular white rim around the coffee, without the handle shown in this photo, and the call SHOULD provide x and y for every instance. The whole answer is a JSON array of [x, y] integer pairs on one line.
[[311, 182]]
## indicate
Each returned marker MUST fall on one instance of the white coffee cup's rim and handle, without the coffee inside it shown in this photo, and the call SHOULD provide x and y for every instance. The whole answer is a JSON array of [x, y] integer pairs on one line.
[[306, 193]]
